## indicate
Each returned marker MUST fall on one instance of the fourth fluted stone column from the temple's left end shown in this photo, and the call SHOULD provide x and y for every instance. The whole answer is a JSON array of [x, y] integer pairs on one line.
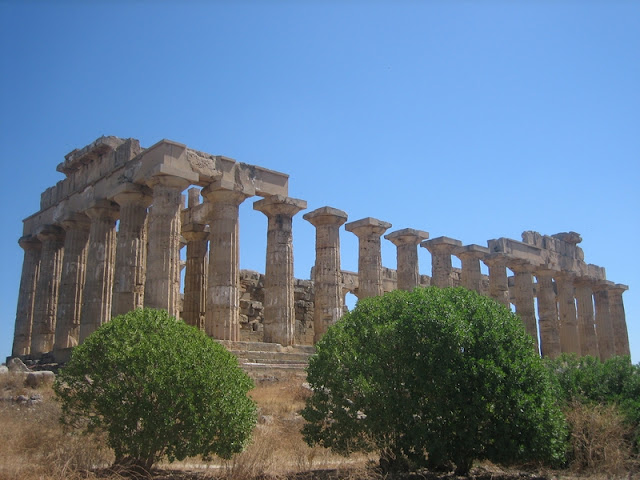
[[98, 289]]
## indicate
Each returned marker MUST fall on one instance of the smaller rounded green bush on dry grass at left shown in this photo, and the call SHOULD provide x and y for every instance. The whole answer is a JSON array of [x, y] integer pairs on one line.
[[158, 388]]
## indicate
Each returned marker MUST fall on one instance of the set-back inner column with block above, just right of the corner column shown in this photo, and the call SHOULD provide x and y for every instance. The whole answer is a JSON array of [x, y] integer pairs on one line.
[[194, 306]]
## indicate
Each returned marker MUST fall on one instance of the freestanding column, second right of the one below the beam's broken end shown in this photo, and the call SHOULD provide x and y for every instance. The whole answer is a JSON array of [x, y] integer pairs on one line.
[[368, 230]]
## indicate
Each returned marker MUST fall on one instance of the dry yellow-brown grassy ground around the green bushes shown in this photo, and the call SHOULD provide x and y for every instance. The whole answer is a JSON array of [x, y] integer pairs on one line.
[[34, 446]]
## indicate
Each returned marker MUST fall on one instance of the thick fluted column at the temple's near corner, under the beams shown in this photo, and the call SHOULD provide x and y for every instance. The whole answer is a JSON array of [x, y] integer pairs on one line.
[[162, 285]]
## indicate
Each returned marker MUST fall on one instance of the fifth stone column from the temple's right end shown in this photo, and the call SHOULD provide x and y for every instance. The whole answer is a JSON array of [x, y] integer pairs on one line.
[[548, 314]]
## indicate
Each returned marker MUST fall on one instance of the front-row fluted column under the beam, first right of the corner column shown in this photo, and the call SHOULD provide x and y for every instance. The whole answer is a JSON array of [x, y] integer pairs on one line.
[[222, 320]]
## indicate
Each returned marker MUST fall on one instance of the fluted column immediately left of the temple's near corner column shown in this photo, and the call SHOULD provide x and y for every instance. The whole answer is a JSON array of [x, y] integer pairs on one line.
[[131, 249]]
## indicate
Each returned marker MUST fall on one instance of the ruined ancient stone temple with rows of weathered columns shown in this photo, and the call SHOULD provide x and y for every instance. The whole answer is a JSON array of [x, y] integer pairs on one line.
[[108, 239]]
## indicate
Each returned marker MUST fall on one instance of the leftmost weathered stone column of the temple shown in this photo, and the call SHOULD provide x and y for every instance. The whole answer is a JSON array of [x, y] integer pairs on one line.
[[26, 296]]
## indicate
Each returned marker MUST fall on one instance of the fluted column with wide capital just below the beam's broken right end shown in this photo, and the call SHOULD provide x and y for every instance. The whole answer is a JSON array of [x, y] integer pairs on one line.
[[279, 306]]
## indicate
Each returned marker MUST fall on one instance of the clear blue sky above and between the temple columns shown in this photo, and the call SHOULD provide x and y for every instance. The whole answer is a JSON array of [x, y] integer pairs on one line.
[[474, 120]]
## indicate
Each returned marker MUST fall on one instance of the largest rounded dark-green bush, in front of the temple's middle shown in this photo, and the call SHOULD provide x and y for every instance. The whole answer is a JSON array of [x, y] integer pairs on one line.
[[433, 377]]
